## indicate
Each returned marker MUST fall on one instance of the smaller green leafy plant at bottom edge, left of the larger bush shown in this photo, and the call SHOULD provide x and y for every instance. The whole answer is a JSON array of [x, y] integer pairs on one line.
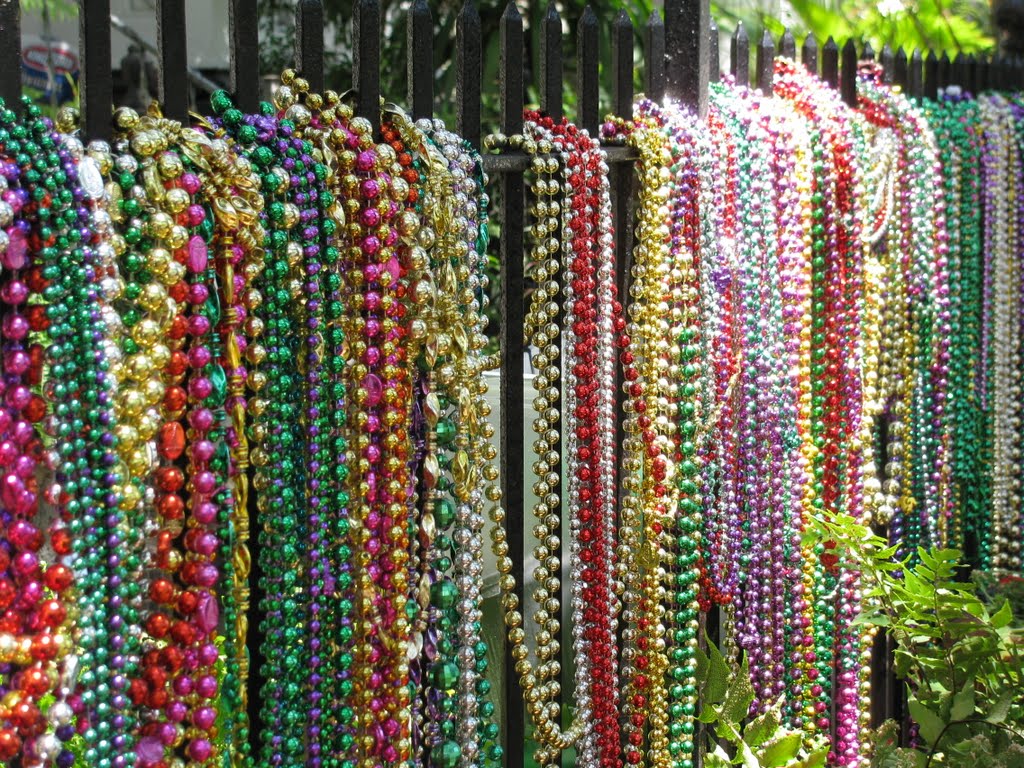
[[759, 743]]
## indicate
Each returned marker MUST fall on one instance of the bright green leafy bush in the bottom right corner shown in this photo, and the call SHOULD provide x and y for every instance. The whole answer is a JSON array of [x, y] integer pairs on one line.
[[963, 663]]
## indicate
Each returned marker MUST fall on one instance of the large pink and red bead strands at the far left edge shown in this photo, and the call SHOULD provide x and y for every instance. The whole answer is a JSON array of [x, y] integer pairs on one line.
[[33, 639]]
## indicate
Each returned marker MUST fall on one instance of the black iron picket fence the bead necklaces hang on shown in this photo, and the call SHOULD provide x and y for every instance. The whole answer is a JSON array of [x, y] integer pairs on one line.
[[680, 56]]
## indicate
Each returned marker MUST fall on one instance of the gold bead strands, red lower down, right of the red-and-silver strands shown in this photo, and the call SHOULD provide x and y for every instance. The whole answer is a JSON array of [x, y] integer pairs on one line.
[[646, 467]]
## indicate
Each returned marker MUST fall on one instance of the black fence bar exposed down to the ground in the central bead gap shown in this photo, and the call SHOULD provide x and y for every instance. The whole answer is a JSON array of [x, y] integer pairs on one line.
[[513, 404]]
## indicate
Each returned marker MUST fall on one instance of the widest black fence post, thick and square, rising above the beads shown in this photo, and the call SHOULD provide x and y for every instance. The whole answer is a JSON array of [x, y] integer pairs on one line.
[[687, 25]]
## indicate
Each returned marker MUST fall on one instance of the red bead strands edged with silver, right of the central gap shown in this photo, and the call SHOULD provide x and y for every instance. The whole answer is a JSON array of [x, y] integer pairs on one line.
[[592, 316]]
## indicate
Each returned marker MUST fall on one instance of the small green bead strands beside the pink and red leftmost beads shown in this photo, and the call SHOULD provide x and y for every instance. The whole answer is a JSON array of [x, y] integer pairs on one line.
[[86, 465]]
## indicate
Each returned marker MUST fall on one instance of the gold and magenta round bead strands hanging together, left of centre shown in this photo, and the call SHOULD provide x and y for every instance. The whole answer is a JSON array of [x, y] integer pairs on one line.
[[372, 275]]
